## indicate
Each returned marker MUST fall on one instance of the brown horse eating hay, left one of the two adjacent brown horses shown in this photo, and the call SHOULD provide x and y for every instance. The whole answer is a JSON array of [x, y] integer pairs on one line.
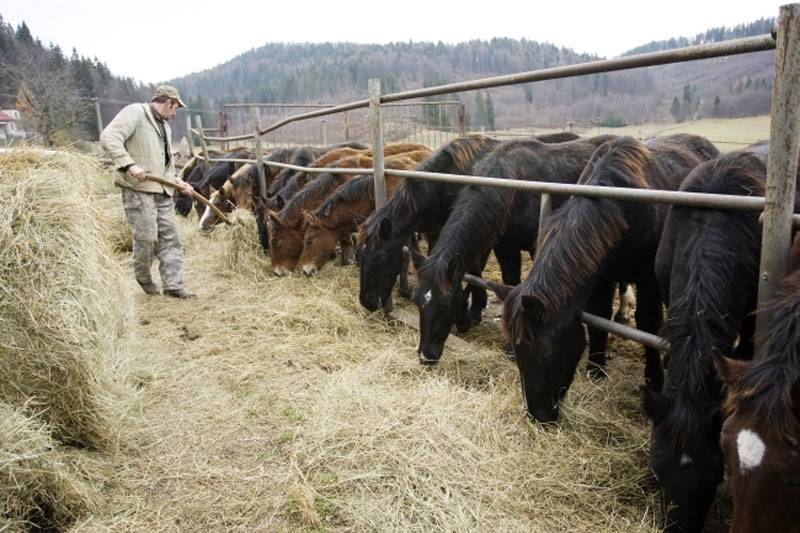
[[286, 227]]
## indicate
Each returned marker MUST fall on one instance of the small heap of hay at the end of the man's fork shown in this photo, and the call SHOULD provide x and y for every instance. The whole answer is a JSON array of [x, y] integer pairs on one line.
[[241, 249]]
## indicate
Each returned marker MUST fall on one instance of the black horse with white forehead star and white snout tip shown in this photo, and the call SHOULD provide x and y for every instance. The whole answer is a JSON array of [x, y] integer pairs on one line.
[[486, 218]]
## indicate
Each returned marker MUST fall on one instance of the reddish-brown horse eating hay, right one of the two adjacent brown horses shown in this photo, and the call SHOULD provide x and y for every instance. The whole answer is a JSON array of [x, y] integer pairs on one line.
[[340, 214]]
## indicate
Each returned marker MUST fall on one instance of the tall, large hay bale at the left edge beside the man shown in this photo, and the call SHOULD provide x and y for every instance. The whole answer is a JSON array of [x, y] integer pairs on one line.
[[63, 309]]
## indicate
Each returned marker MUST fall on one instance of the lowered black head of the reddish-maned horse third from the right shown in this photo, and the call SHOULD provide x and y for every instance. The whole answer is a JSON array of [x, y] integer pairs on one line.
[[547, 349]]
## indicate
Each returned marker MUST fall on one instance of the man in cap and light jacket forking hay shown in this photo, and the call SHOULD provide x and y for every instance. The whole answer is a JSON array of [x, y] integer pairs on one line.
[[138, 140]]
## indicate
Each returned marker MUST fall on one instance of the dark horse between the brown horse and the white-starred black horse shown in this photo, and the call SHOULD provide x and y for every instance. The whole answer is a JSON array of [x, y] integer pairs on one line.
[[419, 206]]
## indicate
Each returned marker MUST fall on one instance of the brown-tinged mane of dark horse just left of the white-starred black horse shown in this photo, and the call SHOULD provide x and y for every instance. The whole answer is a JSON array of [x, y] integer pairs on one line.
[[456, 157]]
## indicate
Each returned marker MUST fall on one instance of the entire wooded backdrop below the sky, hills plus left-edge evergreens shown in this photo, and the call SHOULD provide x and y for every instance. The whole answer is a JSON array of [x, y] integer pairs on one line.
[[55, 90]]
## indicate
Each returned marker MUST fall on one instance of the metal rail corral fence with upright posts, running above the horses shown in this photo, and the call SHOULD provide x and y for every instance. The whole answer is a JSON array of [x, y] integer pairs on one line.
[[777, 205]]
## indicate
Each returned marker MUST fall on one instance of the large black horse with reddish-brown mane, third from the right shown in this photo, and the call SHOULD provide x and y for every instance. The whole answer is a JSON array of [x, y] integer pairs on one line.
[[591, 243]]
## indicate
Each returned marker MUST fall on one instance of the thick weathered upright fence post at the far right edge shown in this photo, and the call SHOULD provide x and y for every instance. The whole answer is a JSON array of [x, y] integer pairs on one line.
[[782, 162]]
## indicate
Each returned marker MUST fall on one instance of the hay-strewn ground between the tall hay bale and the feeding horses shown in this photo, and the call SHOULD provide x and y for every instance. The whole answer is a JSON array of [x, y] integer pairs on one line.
[[279, 404]]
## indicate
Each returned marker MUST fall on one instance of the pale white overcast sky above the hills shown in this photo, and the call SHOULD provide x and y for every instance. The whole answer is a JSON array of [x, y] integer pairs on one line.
[[155, 40]]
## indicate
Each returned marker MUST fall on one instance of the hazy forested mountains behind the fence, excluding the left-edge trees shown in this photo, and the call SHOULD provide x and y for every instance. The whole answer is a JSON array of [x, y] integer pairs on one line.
[[338, 72]]
